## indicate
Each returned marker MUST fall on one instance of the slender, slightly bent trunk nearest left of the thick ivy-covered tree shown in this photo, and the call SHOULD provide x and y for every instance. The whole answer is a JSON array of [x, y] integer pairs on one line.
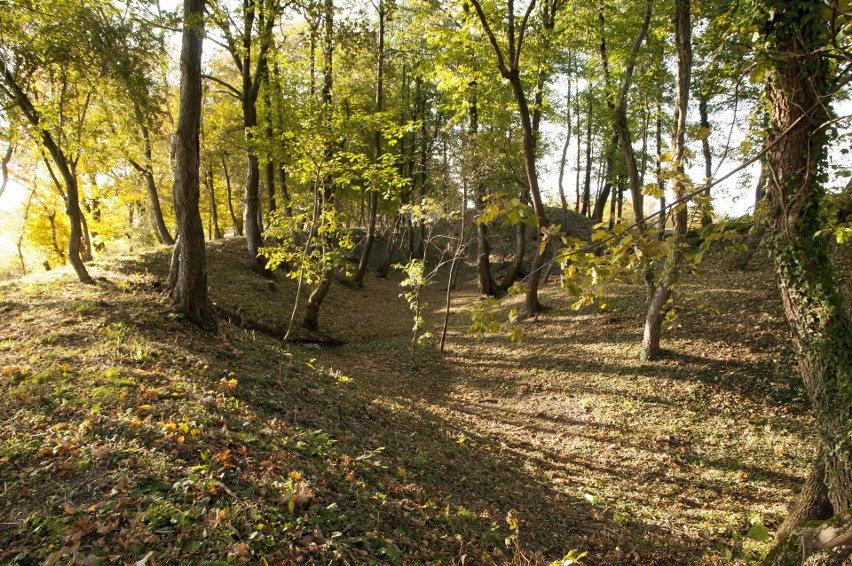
[[683, 48]]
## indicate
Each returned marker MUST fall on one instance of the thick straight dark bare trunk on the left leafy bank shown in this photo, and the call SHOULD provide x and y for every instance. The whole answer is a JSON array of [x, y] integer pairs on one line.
[[190, 289]]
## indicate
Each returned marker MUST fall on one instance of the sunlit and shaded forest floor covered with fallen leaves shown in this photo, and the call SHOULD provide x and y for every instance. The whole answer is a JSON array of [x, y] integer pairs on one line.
[[128, 435]]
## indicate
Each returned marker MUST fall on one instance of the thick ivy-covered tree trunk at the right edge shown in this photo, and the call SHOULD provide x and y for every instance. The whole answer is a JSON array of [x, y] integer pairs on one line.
[[822, 333]]
